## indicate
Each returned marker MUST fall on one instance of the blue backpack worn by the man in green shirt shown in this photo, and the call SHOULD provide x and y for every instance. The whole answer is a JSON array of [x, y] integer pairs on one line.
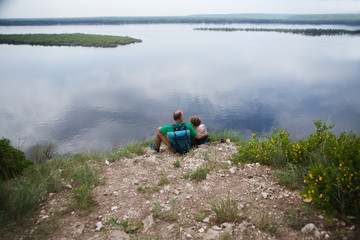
[[181, 136]]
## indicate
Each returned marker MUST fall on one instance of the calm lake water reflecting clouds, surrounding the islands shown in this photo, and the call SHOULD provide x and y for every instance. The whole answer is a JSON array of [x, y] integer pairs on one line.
[[92, 99]]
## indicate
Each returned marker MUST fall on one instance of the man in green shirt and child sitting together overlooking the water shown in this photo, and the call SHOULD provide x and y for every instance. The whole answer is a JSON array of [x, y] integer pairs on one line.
[[197, 132]]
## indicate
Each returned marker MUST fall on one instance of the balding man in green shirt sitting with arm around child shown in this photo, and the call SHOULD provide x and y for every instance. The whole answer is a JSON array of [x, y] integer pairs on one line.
[[161, 135]]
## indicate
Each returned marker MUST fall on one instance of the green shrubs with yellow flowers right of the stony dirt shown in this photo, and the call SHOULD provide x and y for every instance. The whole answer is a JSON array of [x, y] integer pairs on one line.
[[329, 165]]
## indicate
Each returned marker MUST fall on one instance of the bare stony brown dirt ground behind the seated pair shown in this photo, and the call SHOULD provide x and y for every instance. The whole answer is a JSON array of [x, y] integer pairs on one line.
[[151, 191]]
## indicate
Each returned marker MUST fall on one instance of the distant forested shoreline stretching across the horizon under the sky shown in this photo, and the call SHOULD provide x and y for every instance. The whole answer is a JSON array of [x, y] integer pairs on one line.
[[333, 19]]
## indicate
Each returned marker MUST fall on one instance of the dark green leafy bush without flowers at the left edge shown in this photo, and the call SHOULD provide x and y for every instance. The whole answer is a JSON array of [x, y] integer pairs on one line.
[[12, 161]]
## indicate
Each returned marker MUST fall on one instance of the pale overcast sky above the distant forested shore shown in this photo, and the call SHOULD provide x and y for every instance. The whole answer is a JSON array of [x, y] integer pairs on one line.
[[90, 8]]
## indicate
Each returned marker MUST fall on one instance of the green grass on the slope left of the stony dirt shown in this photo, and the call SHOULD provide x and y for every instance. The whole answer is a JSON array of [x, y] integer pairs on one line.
[[20, 197]]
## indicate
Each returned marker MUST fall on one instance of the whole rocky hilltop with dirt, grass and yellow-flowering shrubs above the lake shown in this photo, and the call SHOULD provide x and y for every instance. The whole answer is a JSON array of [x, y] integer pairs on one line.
[[226, 190]]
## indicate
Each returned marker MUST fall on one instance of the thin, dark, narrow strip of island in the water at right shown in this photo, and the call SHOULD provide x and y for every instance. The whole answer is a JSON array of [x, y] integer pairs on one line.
[[307, 32]]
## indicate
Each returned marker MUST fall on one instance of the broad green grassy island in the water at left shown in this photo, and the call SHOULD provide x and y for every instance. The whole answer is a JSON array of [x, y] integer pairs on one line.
[[73, 39]]
